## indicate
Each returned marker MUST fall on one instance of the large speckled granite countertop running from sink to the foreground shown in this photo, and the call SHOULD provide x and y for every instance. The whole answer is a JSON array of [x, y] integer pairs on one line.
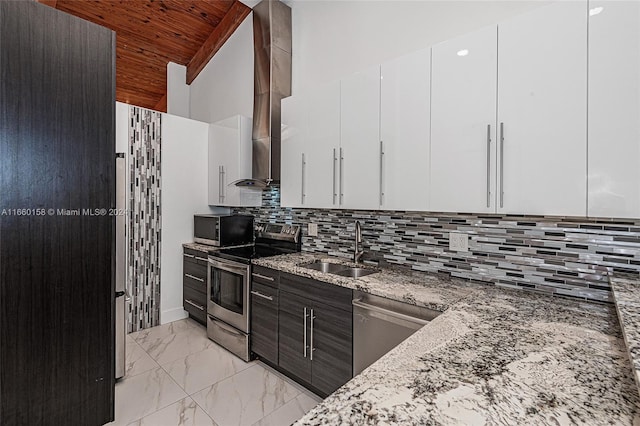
[[495, 356]]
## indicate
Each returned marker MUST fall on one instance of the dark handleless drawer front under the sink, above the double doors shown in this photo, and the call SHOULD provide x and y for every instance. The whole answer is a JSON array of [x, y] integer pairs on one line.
[[317, 291]]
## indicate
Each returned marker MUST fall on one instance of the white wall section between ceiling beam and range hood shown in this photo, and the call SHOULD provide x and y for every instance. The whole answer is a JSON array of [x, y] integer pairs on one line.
[[225, 86]]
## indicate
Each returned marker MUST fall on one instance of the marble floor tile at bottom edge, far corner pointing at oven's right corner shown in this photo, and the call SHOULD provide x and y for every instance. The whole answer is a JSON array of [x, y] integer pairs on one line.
[[246, 397]]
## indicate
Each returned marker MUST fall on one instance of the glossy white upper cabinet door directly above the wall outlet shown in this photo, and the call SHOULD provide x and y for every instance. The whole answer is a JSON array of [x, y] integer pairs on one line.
[[463, 123]]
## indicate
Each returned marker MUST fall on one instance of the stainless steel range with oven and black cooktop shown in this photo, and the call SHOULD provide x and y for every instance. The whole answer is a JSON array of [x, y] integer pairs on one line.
[[229, 280]]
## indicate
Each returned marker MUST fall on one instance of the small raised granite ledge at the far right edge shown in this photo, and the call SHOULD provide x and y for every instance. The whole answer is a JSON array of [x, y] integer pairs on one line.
[[626, 295]]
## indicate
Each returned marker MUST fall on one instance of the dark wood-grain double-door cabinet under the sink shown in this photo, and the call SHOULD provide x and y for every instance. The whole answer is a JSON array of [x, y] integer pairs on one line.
[[315, 332]]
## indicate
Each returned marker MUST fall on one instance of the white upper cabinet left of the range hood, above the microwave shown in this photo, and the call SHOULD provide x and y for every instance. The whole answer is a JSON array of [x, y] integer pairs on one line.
[[230, 160]]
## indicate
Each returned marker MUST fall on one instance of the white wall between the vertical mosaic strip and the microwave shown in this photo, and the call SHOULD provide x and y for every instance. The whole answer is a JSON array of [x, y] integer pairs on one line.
[[184, 193]]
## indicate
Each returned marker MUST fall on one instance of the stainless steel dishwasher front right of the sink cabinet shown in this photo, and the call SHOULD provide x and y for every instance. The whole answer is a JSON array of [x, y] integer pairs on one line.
[[380, 324]]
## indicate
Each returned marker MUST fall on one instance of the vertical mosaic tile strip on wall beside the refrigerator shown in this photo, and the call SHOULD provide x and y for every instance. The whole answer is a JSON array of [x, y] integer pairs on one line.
[[143, 227]]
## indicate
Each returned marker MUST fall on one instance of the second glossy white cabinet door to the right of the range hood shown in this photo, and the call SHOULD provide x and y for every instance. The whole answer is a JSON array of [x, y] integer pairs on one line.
[[320, 145]]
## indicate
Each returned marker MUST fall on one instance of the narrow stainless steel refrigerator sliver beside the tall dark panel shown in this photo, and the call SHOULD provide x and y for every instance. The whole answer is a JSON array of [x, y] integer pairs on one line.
[[121, 267]]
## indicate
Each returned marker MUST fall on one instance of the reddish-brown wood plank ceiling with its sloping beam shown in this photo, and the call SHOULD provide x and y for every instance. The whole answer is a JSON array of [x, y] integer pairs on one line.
[[149, 34]]
